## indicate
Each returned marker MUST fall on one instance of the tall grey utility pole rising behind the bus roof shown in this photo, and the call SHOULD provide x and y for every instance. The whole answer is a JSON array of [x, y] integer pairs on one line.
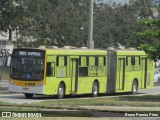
[[90, 30]]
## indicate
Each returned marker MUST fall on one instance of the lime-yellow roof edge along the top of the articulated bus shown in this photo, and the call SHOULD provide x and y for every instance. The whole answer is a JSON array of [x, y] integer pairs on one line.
[[80, 51]]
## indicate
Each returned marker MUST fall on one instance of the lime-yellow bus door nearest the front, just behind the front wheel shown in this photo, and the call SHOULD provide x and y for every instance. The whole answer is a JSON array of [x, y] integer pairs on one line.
[[74, 74]]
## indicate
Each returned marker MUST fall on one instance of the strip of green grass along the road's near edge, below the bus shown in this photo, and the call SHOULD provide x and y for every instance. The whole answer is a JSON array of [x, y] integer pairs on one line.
[[145, 100]]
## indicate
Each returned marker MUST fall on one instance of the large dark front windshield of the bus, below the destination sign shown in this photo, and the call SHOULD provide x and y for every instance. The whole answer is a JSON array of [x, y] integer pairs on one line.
[[27, 68]]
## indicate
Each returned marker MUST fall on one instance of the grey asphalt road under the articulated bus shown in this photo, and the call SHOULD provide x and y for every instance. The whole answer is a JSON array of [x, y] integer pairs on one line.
[[20, 98]]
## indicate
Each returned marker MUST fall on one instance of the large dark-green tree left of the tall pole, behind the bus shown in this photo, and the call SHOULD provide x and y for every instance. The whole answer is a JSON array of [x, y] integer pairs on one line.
[[55, 22]]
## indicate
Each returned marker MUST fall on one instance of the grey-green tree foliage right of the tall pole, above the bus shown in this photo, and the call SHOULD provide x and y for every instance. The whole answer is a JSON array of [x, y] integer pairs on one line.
[[117, 24]]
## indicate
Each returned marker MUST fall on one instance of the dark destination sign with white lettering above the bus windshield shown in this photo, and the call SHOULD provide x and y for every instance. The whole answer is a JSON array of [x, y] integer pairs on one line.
[[28, 53]]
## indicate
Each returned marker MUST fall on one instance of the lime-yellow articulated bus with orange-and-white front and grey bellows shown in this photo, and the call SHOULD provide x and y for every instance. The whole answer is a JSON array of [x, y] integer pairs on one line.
[[79, 71]]
